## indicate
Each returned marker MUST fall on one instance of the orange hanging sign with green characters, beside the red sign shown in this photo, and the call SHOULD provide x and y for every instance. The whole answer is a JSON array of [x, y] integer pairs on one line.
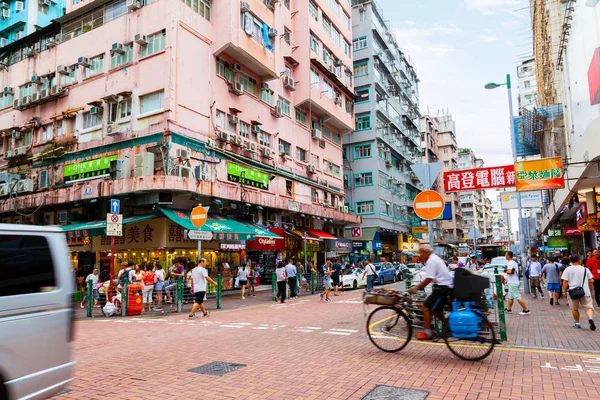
[[546, 173]]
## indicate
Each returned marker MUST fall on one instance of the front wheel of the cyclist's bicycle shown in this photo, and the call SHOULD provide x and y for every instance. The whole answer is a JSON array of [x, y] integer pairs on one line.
[[389, 329]]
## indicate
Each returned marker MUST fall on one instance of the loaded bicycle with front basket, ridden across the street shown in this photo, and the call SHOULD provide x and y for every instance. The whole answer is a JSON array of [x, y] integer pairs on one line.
[[390, 326]]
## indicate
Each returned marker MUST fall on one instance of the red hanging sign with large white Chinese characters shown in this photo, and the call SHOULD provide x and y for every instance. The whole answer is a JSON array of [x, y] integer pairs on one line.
[[480, 178]]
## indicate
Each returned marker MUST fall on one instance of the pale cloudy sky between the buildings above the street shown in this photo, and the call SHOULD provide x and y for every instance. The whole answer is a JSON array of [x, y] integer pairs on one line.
[[457, 46]]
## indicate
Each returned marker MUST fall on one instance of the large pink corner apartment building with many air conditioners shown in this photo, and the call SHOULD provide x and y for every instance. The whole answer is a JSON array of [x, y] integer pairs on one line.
[[237, 105]]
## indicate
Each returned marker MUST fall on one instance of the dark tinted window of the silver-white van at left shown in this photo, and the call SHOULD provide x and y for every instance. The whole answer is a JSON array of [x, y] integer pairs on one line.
[[25, 265]]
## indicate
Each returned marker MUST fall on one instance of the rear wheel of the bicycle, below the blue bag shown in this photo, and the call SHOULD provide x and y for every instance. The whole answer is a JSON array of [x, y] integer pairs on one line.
[[475, 349]]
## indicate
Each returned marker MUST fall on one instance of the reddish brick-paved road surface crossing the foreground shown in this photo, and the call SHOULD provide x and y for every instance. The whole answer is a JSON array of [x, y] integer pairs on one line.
[[308, 349]]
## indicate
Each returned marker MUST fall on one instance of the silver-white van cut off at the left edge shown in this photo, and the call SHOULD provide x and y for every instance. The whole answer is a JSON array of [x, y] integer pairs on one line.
[[36, 312]]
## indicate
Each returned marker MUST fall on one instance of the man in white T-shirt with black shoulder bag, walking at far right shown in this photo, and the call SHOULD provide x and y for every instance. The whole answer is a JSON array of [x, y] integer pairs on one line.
[[578, 284]]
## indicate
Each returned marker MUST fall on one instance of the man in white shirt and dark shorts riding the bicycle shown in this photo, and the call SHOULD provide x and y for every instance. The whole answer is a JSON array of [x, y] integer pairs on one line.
[[436, 272]]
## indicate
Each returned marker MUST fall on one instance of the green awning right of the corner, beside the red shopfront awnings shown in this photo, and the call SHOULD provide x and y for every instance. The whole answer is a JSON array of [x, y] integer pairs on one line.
[[222, 227]]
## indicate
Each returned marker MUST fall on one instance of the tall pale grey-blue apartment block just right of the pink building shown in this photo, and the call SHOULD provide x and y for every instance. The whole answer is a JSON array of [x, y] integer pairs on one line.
[[386, 140]]
